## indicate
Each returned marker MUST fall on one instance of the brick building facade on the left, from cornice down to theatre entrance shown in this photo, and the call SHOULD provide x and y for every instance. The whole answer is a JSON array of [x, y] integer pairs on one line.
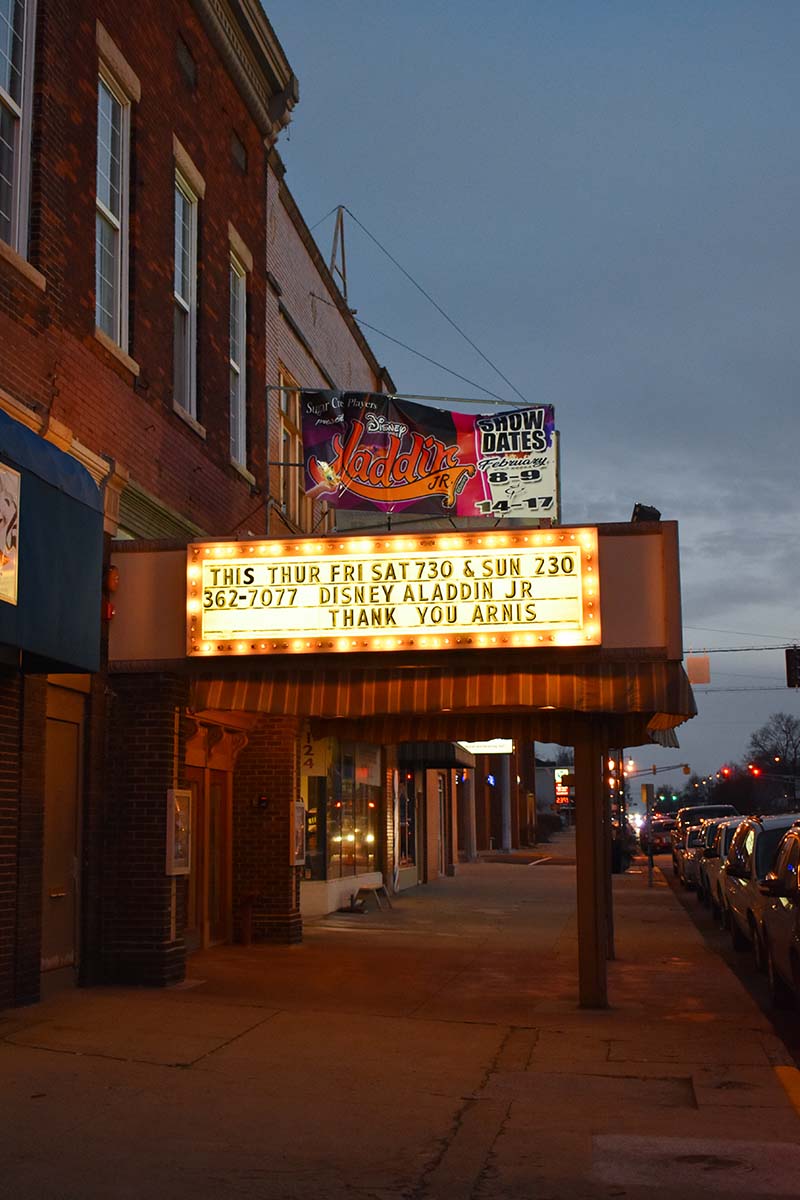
[[158, 284]]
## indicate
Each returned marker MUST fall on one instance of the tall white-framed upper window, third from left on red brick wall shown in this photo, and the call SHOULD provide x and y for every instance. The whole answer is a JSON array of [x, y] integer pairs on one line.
[[185, 292]]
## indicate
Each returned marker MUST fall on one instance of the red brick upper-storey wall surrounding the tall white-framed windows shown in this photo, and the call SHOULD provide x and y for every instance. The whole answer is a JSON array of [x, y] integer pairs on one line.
[[51, 356]]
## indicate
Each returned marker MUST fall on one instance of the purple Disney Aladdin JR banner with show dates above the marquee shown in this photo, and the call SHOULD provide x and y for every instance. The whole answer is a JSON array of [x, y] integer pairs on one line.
[[366, 451]]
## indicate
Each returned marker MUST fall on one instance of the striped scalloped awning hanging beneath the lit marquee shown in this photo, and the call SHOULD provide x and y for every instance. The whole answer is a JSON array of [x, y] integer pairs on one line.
[[642, 700]]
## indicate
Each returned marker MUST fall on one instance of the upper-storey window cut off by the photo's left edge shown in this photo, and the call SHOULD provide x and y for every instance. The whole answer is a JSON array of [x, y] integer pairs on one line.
[[17, 20]]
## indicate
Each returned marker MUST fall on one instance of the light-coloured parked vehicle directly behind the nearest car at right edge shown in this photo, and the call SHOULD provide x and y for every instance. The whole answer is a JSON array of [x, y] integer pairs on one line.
[[750, 860]]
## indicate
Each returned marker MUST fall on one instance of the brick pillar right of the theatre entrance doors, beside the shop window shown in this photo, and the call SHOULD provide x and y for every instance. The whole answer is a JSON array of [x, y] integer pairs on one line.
[[267, 784]]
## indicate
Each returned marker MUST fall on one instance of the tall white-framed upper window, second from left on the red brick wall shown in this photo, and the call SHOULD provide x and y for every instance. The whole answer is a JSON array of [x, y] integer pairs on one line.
[[112, 211]]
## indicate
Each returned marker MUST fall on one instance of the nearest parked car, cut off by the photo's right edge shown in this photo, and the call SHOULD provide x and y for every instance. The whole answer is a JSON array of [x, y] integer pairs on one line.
[[781, 922]]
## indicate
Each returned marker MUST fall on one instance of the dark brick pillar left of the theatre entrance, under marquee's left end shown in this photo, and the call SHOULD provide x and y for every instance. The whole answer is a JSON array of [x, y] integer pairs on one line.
[[146, 909]]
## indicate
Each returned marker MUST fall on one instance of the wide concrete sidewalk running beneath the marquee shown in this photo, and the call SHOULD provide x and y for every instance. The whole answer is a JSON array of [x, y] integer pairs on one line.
[[435, 1051]]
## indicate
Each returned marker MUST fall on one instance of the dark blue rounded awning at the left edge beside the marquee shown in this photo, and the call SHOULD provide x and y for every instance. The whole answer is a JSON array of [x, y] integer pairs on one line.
[[56, 622]]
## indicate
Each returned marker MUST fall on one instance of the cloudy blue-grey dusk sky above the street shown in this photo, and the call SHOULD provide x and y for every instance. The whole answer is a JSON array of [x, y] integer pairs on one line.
[[604, 196]]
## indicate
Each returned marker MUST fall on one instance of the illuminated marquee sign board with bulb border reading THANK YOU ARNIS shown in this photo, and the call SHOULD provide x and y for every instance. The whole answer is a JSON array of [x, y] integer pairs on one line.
[[470, 591]]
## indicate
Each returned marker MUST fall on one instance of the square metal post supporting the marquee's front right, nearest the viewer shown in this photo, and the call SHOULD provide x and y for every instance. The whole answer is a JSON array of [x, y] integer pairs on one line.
[[592, 867]]
